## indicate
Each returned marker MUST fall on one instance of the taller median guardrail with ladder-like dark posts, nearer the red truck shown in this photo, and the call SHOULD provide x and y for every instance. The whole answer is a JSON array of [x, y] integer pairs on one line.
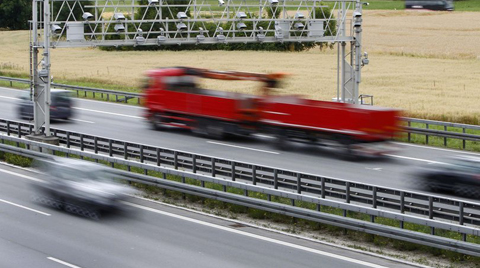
[[404, 206]]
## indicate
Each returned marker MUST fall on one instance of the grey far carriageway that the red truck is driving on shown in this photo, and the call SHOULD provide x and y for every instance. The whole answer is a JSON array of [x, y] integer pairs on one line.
[[125, 122]]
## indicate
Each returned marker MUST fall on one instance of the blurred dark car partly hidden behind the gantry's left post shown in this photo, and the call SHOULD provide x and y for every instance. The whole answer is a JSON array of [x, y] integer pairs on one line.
[[61, 107]]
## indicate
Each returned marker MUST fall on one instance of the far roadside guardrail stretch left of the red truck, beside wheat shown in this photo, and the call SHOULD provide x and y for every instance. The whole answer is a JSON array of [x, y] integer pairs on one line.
[[120, 96]]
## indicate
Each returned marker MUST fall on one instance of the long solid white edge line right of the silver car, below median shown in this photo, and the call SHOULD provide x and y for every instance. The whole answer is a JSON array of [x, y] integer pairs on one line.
[[275, 241]]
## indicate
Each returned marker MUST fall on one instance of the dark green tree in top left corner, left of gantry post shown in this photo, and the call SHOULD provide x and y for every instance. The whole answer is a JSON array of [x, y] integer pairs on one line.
[[14, 14]]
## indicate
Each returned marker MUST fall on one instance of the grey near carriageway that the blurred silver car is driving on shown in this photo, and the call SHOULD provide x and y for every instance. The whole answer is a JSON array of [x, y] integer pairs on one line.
[[151, 235]]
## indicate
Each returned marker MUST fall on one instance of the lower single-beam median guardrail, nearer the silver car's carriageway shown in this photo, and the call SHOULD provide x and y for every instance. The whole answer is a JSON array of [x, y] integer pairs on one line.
[[267, 205]]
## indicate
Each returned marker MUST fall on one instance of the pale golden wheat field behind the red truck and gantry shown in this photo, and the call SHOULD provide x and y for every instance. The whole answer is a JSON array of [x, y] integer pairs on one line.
[[426, 63]]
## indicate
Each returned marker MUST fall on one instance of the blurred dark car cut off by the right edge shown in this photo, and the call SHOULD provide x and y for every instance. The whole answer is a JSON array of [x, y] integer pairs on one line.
[[460, 175]]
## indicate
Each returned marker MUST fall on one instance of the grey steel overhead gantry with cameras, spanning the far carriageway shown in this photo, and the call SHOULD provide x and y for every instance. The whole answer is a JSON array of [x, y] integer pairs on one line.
[[114, 23]]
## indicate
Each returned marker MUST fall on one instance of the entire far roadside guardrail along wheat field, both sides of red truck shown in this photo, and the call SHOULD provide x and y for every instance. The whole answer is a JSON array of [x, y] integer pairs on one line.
[[446, 133]]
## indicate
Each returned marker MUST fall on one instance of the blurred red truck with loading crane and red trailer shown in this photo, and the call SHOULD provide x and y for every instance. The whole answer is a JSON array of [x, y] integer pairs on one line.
[[173, 98]]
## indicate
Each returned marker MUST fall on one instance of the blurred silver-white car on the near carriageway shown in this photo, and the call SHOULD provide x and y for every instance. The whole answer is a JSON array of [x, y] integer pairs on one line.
[[81, 187]]
